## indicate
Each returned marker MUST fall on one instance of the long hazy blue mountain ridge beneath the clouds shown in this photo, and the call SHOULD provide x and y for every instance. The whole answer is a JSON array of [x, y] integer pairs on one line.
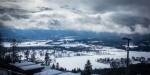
[[8, 33]]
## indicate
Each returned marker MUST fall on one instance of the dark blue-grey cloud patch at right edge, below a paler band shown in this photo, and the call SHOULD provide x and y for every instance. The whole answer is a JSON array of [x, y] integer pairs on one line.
[[130, 20]]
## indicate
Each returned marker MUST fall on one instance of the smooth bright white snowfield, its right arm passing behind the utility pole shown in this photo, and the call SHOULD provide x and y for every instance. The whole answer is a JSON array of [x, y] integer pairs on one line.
[[79, 61]]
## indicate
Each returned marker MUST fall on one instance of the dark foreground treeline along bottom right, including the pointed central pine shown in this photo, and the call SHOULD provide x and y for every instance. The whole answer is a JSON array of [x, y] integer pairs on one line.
[[134, 69]]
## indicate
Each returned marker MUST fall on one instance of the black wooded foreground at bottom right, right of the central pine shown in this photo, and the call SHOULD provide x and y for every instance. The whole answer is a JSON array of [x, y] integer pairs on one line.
[[134, 69]]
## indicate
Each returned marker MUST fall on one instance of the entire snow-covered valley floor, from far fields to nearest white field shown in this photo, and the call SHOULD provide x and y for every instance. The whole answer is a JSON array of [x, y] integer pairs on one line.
[[71, 59]]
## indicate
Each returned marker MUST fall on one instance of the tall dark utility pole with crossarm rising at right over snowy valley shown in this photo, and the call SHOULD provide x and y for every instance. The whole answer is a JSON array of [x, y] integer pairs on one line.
[[127, 49]]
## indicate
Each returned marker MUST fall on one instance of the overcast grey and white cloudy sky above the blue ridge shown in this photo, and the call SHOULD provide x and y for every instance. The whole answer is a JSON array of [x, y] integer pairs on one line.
[[116, 16]]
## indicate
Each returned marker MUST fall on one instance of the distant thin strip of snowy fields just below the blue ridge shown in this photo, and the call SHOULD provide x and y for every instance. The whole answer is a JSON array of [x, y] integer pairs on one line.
[[44, 43]]
